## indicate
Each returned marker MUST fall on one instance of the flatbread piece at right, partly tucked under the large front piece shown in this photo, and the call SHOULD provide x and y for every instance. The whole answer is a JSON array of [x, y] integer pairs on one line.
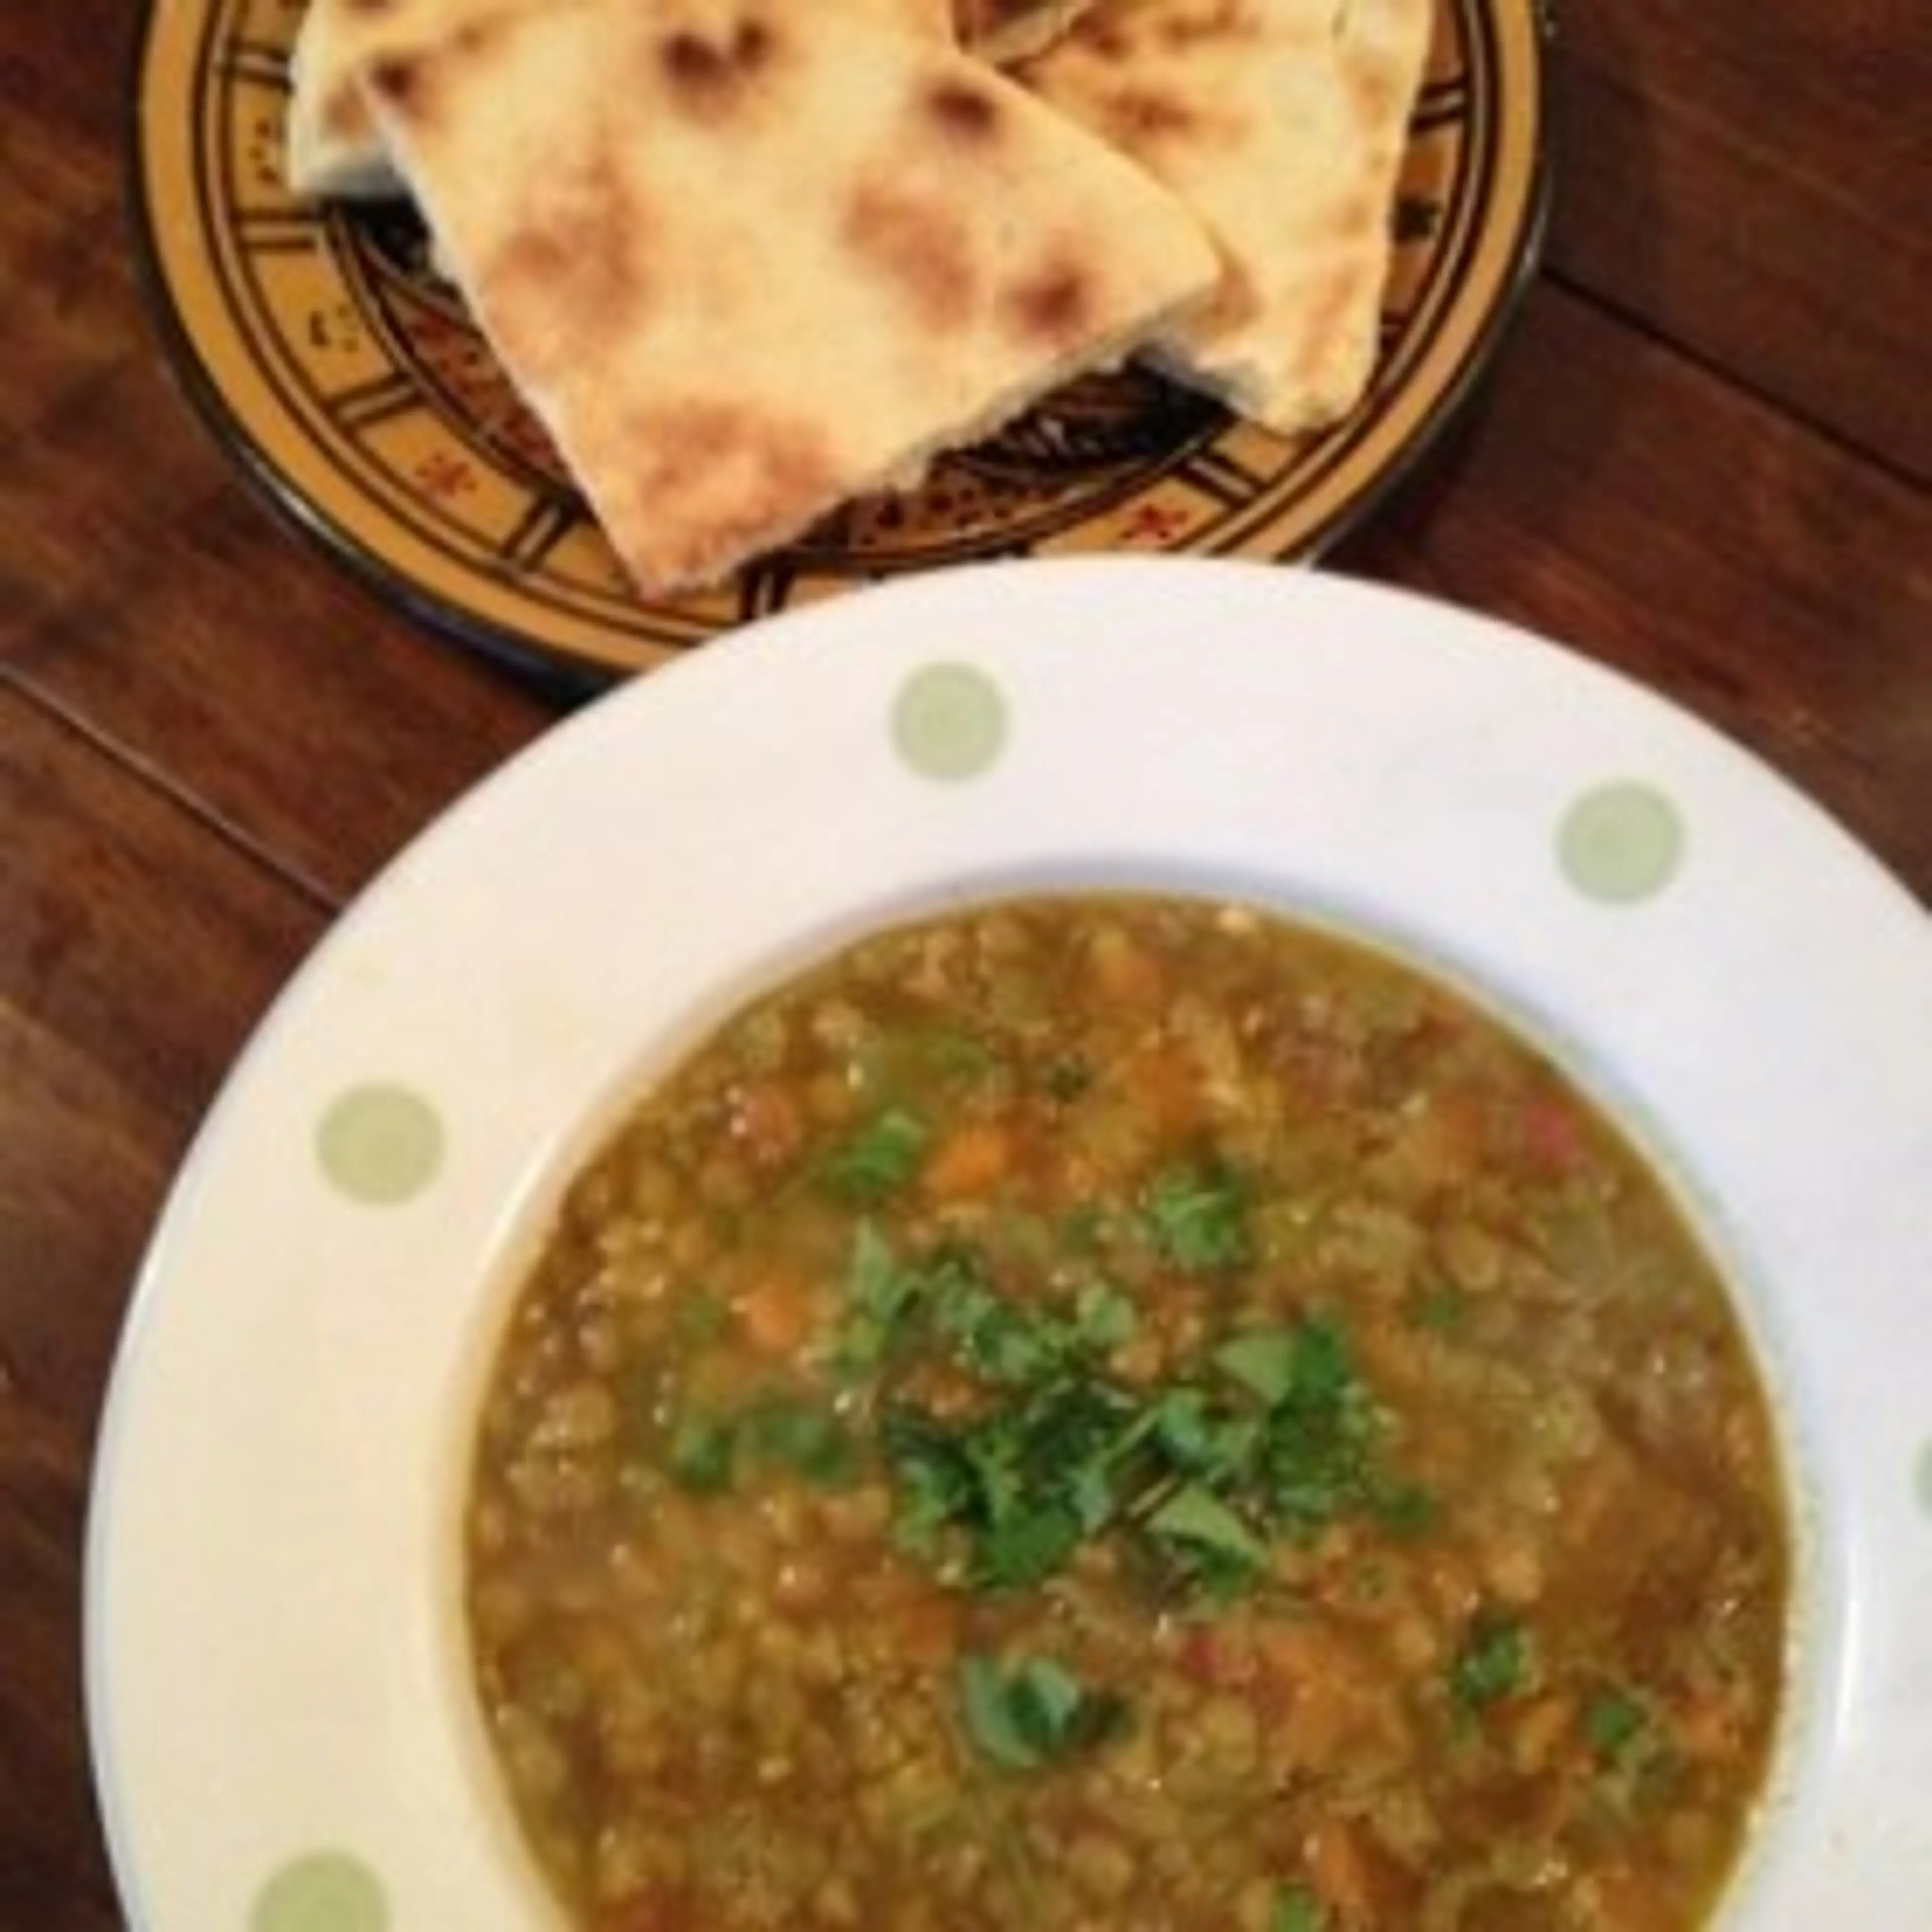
[[1282, 125]]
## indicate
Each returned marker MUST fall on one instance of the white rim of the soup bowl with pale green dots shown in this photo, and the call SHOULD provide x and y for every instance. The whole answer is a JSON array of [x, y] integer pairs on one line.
[[277, 1672]]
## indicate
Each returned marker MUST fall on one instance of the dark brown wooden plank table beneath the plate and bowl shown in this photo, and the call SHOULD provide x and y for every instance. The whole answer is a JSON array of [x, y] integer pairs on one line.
[[1703, 455]]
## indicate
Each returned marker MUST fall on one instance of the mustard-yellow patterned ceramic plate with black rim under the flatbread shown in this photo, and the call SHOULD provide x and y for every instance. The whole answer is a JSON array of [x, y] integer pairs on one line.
[[355, 387]]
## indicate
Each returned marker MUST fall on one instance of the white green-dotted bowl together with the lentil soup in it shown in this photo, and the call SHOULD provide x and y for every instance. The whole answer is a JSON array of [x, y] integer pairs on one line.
[[1094, 1245]]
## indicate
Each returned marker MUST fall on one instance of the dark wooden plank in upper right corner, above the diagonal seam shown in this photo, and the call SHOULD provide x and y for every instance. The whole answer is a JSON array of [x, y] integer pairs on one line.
[[1753, 185]]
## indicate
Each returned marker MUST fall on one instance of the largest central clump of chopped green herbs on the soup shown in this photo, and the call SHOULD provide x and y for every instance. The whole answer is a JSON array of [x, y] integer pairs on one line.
[[1276, 1440]]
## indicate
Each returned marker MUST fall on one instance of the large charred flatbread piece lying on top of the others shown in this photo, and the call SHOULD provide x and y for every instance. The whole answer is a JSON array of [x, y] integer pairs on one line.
[[747, 264]]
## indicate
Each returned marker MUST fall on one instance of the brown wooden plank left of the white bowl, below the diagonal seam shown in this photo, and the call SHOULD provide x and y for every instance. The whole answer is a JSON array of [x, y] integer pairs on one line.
[[134, 957]]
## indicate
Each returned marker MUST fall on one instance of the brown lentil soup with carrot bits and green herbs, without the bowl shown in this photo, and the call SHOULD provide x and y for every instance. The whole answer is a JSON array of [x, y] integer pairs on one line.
[[1125, 1413]]
